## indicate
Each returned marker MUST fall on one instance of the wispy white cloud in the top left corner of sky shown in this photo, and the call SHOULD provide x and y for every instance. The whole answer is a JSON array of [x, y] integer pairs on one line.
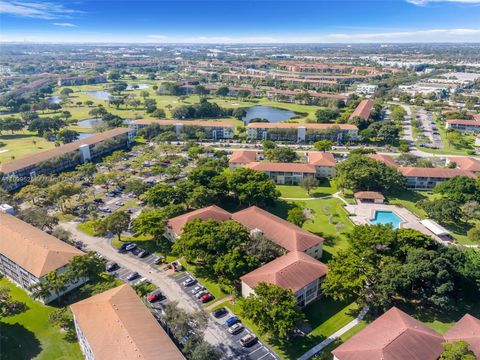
[[36, 9]]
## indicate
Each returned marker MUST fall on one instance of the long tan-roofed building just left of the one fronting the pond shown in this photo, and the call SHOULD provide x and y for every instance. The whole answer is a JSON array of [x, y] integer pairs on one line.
[[214, 130]]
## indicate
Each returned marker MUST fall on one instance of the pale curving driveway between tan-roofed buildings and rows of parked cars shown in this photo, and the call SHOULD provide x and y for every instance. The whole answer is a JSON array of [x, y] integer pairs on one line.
[[214, 334]]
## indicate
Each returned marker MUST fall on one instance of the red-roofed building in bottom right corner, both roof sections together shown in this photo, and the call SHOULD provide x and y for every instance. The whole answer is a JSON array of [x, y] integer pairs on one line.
[[397, 335]]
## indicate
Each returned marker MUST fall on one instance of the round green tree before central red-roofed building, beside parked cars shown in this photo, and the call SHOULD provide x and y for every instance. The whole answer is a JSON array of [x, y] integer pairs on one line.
[[273, 309]]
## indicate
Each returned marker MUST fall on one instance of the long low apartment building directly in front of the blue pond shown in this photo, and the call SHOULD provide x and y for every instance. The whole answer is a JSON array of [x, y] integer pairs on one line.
[[301, 132]]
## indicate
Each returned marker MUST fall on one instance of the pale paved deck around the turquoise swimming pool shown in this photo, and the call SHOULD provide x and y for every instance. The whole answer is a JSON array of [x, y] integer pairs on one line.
[[362, 213]]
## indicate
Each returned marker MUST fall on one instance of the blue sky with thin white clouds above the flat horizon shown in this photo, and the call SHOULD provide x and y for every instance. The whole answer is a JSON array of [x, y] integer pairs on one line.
[[233, 21]]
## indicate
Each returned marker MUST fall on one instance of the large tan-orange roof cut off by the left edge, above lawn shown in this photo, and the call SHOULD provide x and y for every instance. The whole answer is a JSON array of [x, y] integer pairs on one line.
[[34, 250]]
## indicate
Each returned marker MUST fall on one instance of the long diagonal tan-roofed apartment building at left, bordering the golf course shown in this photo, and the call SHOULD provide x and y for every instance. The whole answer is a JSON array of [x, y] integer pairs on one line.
[[18, 173]]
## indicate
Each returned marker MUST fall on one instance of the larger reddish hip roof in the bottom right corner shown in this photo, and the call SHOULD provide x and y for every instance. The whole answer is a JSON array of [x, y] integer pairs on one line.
[[395, 335]]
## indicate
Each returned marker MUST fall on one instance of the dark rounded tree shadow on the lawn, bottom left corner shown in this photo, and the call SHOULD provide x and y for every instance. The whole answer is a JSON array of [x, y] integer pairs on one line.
[[18, 343]]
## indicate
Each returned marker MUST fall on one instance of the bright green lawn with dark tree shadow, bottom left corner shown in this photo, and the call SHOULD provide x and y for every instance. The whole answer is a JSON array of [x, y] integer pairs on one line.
[[29, 336]]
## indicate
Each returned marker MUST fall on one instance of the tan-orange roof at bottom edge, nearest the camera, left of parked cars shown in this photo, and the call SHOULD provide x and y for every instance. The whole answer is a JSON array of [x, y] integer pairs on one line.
[[117, 325]]
